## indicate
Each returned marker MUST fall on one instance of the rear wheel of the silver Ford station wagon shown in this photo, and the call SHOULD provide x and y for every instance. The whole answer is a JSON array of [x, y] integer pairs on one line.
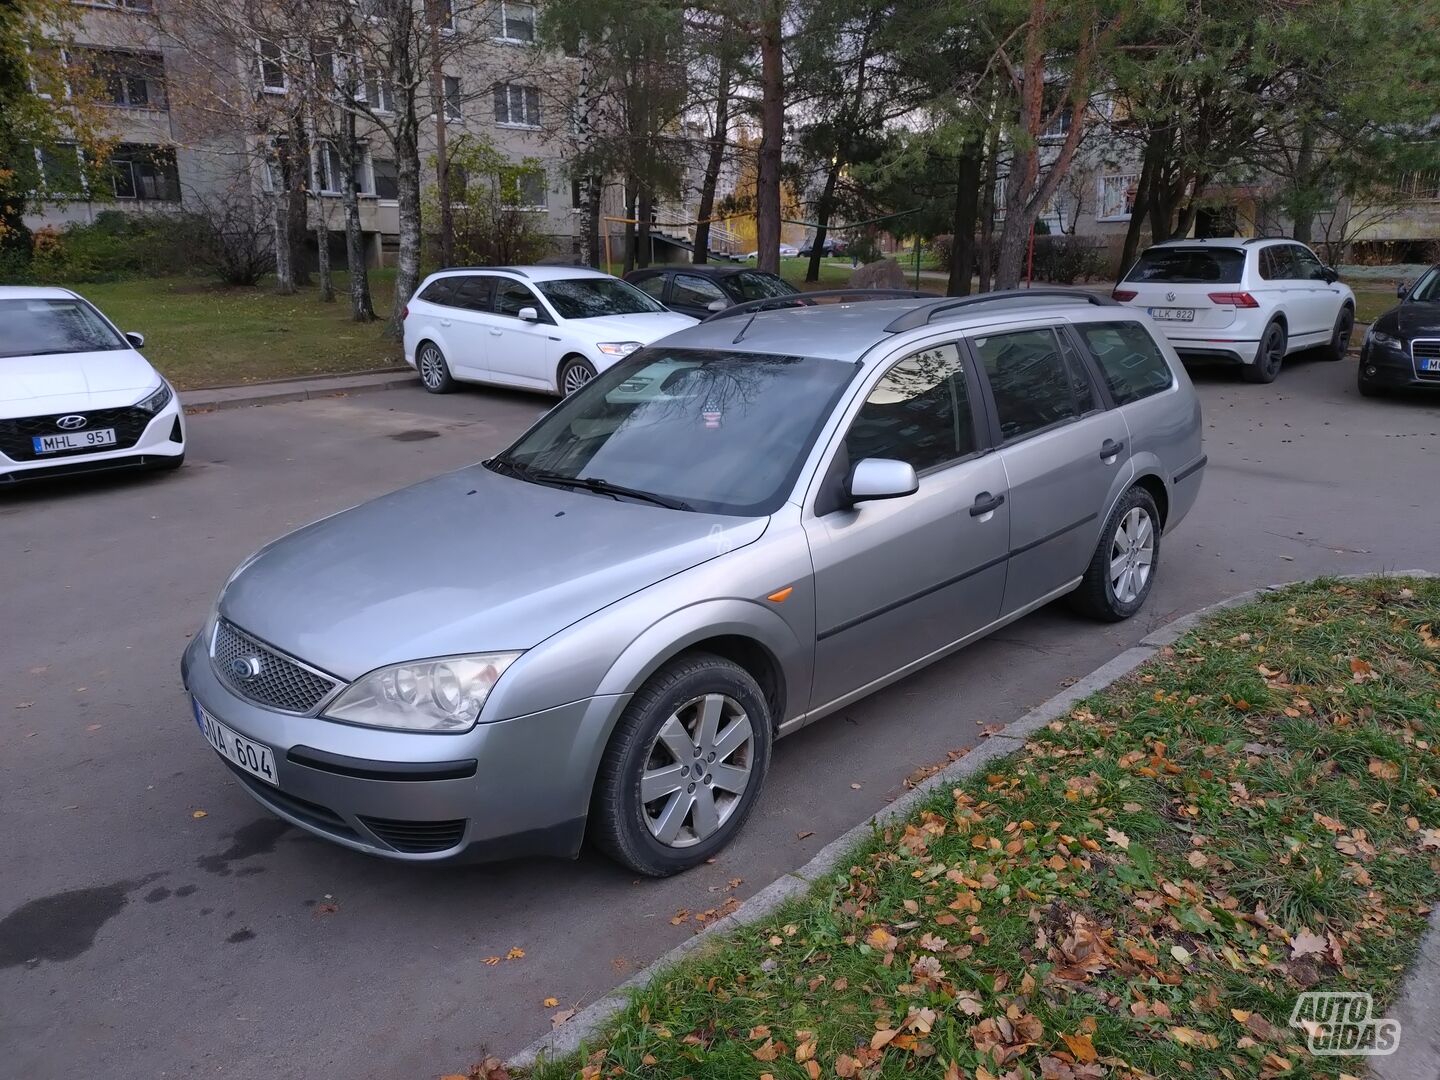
[[1124, 565]]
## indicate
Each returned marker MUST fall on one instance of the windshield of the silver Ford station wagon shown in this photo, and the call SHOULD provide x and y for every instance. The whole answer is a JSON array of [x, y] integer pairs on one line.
[[724, 433]]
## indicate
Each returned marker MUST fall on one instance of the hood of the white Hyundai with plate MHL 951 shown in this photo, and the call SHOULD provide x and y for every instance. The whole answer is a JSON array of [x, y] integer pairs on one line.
[[74, 382]]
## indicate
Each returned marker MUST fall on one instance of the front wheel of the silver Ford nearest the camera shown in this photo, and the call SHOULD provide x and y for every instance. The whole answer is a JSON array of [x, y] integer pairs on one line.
[[683, 768]]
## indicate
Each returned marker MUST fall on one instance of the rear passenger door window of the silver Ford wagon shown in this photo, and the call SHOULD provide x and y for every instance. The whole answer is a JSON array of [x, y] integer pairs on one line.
[[1029, 379]]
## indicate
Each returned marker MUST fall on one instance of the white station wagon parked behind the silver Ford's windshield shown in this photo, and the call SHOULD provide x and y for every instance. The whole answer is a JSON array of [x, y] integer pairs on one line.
[[536, 328]]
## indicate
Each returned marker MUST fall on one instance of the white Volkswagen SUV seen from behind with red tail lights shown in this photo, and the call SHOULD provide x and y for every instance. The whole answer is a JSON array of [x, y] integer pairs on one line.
[[1249, 302]]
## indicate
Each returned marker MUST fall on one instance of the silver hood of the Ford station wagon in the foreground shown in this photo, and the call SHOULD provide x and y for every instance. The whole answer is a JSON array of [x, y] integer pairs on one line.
[[469, 562]]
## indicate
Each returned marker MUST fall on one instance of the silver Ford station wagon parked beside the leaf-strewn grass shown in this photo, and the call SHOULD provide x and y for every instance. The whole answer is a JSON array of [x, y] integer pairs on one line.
[[729, 535]]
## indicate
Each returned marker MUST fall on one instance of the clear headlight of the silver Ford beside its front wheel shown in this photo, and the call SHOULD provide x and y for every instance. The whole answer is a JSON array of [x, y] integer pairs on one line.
[[424, 696]]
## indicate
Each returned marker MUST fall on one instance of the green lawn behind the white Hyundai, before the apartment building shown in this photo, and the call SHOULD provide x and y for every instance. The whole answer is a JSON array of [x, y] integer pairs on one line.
[[205, 335]]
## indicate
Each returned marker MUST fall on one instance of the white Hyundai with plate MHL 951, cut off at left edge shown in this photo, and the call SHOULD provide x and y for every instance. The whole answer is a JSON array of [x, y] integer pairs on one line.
[[76, 394]]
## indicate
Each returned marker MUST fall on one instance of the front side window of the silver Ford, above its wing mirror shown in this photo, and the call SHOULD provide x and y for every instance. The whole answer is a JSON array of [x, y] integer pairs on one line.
[[919, 413]]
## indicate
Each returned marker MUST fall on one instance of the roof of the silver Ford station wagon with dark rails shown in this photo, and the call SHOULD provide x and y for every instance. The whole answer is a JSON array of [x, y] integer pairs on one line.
[[850, 332]]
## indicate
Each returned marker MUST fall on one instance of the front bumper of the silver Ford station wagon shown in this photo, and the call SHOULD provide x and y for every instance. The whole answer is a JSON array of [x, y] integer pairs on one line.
[[509, 788]]
